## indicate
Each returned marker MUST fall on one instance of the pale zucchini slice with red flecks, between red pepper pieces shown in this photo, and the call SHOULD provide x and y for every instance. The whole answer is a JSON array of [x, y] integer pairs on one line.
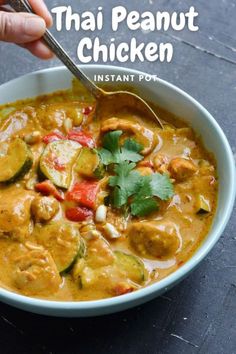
[[57, 160]]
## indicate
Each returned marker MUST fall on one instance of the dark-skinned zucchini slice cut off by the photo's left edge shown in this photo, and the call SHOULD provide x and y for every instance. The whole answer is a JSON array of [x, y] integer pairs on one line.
[[15, 161]]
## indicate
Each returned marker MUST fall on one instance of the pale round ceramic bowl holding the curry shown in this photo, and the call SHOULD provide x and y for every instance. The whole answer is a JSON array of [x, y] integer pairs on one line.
[[174, 100]]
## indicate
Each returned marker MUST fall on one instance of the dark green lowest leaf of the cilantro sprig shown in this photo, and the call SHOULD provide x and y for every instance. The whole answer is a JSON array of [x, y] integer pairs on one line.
[[143, 206]]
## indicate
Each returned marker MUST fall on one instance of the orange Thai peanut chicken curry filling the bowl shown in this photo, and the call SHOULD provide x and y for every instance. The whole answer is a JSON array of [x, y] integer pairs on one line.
[[94, 208]]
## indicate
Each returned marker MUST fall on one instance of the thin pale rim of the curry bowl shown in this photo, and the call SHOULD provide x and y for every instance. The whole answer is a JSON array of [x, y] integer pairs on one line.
[[23, 301]]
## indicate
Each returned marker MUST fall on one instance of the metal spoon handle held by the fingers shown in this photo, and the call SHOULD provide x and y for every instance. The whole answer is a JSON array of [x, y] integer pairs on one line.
[[56, 48]]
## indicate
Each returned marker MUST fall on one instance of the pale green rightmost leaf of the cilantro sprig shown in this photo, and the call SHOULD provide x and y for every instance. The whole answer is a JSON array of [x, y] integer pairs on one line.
[[161, 186]]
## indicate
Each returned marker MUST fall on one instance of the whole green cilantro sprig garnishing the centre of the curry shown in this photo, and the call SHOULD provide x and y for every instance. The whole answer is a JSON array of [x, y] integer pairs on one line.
[[130, 190]]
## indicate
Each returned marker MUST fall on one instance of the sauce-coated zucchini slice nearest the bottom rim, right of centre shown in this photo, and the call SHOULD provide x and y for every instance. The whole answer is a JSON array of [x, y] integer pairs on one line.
[[131, 265]]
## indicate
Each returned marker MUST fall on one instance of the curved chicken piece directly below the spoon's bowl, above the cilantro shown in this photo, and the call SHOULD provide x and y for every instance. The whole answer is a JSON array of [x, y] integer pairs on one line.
[[144, 136]]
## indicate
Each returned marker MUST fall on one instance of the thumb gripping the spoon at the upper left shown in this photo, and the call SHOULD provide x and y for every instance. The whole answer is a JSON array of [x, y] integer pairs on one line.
[[20, 27]]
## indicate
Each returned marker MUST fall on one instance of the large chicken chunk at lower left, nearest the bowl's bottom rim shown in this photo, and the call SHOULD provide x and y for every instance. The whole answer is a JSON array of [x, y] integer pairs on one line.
[[36, 273]]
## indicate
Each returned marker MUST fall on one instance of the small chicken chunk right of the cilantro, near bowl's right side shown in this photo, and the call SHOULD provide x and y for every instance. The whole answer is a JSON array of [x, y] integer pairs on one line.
[[181, 168]]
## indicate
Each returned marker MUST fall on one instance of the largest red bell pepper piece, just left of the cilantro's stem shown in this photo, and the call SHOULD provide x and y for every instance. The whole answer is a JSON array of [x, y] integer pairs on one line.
[[84, 193]]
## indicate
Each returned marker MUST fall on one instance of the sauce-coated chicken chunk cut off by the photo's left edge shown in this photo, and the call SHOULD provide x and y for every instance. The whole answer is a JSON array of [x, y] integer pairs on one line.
[[15, 218]]
